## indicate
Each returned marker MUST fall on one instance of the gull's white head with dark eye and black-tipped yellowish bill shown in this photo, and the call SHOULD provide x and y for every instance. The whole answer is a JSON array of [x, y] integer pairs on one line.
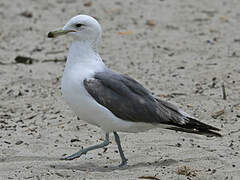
[[82, 28]]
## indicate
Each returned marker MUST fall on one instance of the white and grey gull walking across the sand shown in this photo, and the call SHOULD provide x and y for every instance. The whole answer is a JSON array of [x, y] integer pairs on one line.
[[114, 102]]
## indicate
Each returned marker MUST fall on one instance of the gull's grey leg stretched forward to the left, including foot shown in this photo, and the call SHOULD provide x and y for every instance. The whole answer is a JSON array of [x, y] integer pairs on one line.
[[85, 150]]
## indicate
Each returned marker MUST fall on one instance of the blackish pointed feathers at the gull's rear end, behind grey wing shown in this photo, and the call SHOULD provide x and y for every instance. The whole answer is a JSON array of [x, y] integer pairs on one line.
[[196, 127]]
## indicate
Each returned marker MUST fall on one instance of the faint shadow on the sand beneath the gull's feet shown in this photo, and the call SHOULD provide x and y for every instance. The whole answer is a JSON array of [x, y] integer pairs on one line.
[[91, 167]]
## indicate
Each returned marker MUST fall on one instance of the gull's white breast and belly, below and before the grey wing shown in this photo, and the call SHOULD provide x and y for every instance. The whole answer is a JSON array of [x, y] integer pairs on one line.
[[88, 109]]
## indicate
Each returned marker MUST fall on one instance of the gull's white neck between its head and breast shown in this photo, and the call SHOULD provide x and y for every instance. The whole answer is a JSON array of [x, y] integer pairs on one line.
[[83, 52]]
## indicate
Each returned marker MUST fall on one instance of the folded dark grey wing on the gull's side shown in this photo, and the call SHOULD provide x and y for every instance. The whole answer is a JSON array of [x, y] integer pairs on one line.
[[130, 101]]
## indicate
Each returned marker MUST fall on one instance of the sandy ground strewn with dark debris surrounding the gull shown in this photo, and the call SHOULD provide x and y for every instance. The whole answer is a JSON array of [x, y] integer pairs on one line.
[[183, 51]]
